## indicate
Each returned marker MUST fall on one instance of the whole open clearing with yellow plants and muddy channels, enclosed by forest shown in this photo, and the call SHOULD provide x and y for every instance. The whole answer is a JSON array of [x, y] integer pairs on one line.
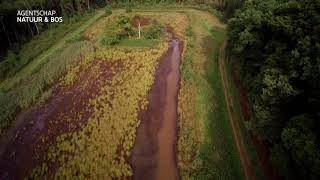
[[141, 108]]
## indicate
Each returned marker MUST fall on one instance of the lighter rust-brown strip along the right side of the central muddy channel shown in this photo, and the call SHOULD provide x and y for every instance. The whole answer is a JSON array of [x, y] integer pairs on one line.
[[166, 166]]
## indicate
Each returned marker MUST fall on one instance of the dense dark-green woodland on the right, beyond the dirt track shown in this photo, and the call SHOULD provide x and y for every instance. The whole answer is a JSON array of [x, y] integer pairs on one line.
[[276, 45]]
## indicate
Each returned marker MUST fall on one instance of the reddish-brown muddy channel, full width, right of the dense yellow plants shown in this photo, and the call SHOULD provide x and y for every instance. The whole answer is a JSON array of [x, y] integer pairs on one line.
[[154, 153]]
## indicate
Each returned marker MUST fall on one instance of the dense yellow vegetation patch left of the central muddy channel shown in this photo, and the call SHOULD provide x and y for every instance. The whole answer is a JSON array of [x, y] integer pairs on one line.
[[100, 149]]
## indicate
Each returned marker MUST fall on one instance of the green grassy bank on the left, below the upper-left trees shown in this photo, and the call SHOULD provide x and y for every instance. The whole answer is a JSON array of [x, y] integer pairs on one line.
[[43, 66]]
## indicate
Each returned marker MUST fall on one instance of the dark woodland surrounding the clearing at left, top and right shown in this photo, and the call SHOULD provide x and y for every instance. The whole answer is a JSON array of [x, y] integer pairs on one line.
[[274, 45]]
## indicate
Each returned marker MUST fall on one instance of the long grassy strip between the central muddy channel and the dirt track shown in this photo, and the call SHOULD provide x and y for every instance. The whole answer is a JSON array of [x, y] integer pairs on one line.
[[206, 145]]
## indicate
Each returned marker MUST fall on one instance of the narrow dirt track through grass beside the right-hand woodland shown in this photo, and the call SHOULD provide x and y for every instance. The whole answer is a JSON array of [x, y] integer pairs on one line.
[[244, 156]]
